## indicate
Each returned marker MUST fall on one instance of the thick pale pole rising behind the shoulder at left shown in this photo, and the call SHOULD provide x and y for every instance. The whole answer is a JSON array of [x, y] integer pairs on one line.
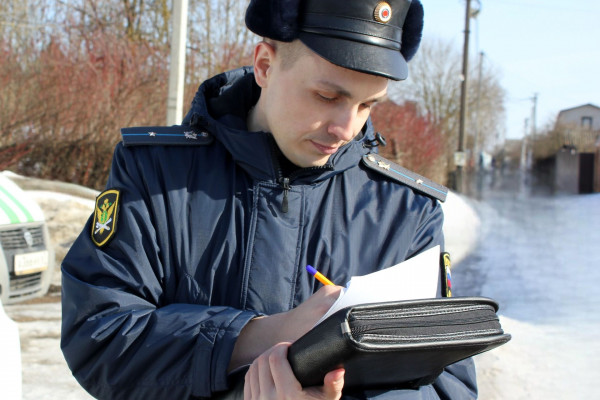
[[177, 67]]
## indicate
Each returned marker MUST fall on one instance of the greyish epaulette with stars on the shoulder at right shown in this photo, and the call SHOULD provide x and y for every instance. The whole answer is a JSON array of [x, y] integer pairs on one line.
[[403, 175]]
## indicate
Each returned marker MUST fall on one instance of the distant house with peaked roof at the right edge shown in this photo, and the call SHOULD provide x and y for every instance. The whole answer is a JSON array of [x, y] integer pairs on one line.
[[580, 126]]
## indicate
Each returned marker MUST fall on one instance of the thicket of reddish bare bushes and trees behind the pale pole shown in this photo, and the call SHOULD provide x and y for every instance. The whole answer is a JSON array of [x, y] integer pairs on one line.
[[75, 71]]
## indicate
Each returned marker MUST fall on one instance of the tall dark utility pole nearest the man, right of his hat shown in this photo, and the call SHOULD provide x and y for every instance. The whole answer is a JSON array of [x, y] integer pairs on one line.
[[459, 158]]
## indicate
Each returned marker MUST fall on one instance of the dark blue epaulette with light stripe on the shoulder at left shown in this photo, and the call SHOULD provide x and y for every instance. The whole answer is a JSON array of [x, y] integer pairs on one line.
[[165, 135]]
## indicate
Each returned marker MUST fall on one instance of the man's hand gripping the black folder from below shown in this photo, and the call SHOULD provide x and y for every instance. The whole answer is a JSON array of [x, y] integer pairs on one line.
[[270, 377]]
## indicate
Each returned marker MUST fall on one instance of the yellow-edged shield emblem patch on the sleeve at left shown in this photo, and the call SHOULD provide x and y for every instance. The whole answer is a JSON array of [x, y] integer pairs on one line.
[[104, 224]]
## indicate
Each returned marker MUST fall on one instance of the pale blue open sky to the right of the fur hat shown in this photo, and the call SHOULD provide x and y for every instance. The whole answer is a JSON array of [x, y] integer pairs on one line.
[[546, 47]]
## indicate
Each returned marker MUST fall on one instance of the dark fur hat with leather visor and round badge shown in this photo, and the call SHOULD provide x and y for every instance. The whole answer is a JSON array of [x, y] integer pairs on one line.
[[372, 36]]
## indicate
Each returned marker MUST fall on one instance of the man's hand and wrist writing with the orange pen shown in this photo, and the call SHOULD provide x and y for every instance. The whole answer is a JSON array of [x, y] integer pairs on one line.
[[260, 334]]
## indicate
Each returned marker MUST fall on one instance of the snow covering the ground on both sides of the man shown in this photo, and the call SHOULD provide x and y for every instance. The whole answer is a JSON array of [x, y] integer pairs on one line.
[[533, 253]]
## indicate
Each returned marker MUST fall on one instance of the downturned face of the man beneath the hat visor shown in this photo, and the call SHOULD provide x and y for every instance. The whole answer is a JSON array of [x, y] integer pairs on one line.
[[313, 107]]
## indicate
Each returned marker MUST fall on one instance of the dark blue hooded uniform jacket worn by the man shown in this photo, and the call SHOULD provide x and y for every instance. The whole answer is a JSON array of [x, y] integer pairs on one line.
[[204, 243]]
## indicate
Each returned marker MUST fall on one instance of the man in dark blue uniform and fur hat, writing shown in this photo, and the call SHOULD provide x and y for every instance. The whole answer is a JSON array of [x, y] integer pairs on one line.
[[193, 264]]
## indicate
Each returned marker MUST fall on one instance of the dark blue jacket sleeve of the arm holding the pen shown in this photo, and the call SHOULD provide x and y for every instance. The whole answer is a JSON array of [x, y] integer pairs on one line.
[[125, 335]]
